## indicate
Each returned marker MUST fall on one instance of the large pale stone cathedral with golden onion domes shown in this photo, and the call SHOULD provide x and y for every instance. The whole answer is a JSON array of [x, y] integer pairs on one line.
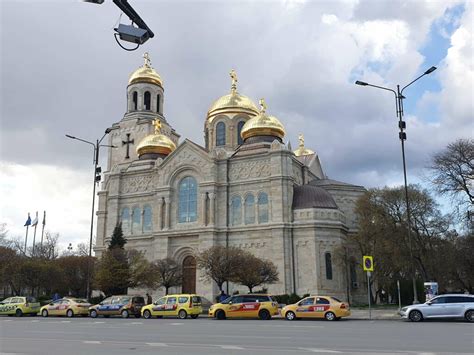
[[245, 188]]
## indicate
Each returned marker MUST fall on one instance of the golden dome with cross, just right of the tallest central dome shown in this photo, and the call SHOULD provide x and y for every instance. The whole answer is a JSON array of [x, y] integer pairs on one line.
[[263, 125]]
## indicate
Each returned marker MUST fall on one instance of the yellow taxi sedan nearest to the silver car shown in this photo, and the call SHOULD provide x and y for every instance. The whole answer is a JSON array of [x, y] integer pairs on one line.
[[329, 308]]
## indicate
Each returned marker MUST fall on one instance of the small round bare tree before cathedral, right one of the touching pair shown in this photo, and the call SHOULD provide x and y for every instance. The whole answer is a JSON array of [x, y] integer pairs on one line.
[[254, 271]]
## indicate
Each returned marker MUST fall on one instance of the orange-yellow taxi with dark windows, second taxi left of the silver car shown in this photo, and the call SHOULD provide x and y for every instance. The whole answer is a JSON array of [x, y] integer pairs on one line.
[[245, 306]]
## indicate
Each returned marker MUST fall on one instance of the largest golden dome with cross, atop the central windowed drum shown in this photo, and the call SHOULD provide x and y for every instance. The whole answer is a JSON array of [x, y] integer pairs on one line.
[[232, 103]]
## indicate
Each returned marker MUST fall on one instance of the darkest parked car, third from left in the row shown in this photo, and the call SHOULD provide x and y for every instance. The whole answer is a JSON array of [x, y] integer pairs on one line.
[[122, 305]]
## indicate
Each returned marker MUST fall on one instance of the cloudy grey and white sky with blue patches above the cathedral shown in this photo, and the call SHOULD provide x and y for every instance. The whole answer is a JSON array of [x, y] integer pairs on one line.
[[62, 72]]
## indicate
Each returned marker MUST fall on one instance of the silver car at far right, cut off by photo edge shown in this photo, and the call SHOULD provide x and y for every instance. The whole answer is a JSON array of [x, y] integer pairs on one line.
[[444, 306]]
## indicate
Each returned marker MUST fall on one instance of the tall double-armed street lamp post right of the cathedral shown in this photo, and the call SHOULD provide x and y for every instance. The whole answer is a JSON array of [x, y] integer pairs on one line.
[[402, 136]]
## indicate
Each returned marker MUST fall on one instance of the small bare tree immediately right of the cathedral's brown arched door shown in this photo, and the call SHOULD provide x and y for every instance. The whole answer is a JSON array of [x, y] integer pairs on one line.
[[219, 263]]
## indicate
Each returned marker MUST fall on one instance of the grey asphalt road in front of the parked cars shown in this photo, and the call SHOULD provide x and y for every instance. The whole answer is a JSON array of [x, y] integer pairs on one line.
[[36, 335]]
